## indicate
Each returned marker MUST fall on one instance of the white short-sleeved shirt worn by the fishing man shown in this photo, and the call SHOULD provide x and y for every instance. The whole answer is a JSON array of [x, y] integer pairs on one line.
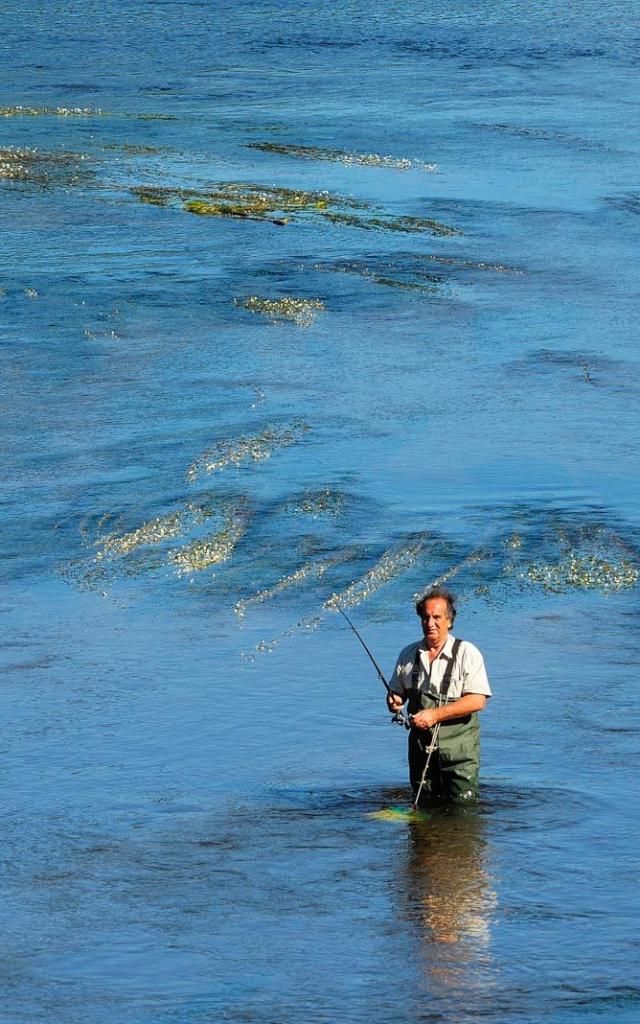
[[470, 675]]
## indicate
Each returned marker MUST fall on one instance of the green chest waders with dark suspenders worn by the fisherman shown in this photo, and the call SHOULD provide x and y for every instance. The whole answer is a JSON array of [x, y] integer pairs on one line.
[[454, 769]]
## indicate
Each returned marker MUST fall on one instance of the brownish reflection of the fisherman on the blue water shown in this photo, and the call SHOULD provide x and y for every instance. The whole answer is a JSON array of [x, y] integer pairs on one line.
[[450, 890]]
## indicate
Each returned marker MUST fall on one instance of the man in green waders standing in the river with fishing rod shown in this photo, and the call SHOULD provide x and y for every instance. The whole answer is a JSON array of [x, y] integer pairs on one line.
[[445, 682]]
